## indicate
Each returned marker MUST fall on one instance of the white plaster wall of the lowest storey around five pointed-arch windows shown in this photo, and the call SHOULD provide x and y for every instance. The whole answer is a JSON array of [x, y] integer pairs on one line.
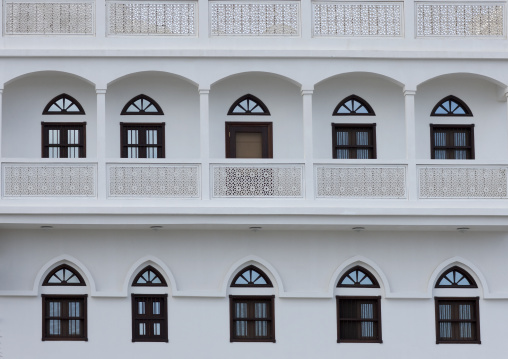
[[199, 326]]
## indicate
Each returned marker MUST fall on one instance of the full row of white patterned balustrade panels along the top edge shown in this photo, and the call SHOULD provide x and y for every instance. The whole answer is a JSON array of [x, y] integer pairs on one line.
[[248, 18]]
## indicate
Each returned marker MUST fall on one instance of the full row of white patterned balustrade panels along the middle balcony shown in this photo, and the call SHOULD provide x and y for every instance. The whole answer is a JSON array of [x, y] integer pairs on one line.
[[32, 180]]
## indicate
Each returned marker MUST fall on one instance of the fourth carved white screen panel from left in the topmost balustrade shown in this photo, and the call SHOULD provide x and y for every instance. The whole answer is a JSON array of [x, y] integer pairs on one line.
[[357, 19]]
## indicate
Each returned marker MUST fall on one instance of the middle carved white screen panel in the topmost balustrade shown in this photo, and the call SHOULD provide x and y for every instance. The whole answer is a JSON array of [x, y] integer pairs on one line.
[[255, 19]]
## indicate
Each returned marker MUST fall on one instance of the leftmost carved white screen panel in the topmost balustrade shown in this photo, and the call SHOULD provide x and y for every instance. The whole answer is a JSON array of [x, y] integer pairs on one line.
[[53, 18]]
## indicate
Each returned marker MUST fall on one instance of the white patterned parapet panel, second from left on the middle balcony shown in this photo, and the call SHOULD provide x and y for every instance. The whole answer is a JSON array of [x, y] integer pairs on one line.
[[154, 180]]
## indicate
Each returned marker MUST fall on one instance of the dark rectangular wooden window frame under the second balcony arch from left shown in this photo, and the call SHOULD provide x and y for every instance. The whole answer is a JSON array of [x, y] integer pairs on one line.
[[142, 146]]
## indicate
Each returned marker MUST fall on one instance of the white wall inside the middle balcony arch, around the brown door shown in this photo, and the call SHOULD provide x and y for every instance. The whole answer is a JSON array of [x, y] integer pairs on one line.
[[283, 100]]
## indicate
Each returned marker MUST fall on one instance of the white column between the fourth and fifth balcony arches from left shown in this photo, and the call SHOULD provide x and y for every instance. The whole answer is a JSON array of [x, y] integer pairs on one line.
[[409, 112]]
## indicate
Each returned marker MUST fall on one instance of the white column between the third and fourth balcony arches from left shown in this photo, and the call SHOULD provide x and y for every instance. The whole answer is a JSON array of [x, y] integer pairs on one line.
[[308, 150]]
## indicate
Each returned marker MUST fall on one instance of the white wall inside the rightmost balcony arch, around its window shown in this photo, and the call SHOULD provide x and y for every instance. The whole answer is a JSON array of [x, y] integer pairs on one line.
[[482, 97]]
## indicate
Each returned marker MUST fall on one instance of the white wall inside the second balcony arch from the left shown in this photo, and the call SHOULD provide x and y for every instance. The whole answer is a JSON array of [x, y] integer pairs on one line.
[[179, 101]]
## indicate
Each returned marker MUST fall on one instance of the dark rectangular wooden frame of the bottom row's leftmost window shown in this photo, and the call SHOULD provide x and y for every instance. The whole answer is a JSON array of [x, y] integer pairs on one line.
[[64, 299]]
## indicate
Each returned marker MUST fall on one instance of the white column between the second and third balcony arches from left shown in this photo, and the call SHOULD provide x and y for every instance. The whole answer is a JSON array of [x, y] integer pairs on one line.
[[204, 140]]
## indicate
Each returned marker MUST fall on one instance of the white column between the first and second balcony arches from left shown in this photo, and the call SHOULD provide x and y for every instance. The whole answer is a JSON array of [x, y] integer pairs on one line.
[[101, 144]]
